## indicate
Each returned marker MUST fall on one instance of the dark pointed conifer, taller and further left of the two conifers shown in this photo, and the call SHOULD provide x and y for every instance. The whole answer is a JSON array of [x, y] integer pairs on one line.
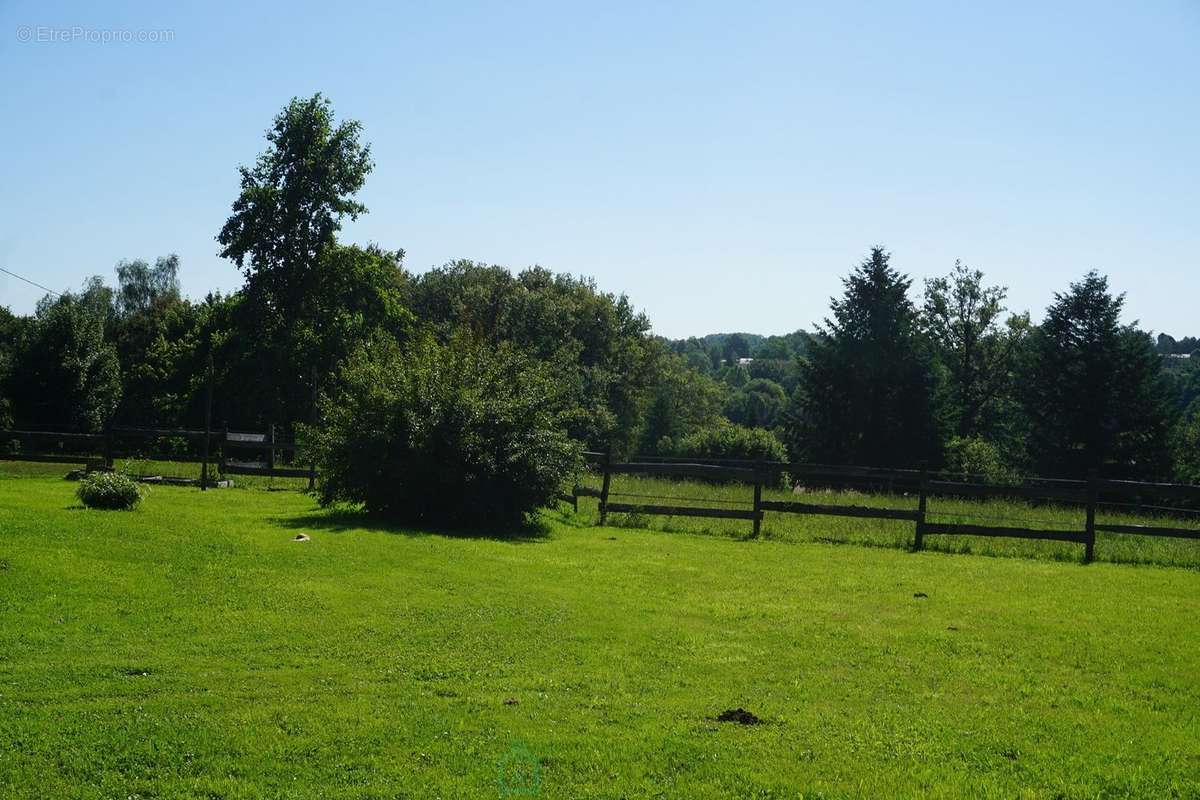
[[866, 394]]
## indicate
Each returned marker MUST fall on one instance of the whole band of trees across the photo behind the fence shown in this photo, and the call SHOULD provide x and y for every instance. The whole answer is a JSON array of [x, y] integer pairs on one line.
[[895, 377]]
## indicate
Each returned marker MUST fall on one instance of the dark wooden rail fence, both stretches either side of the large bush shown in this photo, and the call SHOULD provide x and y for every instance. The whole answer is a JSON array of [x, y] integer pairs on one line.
[[235, 453]]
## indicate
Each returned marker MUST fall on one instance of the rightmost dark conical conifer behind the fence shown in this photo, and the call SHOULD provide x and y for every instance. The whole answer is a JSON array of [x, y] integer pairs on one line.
[[1096, 394]]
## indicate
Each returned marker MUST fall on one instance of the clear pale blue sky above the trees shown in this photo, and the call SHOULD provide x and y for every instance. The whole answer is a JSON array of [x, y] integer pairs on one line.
[[724, 165]]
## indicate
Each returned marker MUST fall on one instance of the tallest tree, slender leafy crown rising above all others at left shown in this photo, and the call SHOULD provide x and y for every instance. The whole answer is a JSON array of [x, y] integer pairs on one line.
[[283, 236]]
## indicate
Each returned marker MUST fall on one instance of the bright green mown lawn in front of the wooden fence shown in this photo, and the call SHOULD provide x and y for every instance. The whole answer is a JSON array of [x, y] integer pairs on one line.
[[191, 649]]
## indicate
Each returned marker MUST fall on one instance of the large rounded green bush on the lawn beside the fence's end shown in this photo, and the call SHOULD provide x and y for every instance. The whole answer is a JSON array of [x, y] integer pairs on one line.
[[457, 435]]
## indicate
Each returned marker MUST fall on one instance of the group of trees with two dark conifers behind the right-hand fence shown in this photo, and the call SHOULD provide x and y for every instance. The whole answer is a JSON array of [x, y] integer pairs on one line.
[[953, 380]]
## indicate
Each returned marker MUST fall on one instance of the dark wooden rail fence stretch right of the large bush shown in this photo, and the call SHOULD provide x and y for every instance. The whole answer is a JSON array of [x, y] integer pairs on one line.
[[1085, 495]]
